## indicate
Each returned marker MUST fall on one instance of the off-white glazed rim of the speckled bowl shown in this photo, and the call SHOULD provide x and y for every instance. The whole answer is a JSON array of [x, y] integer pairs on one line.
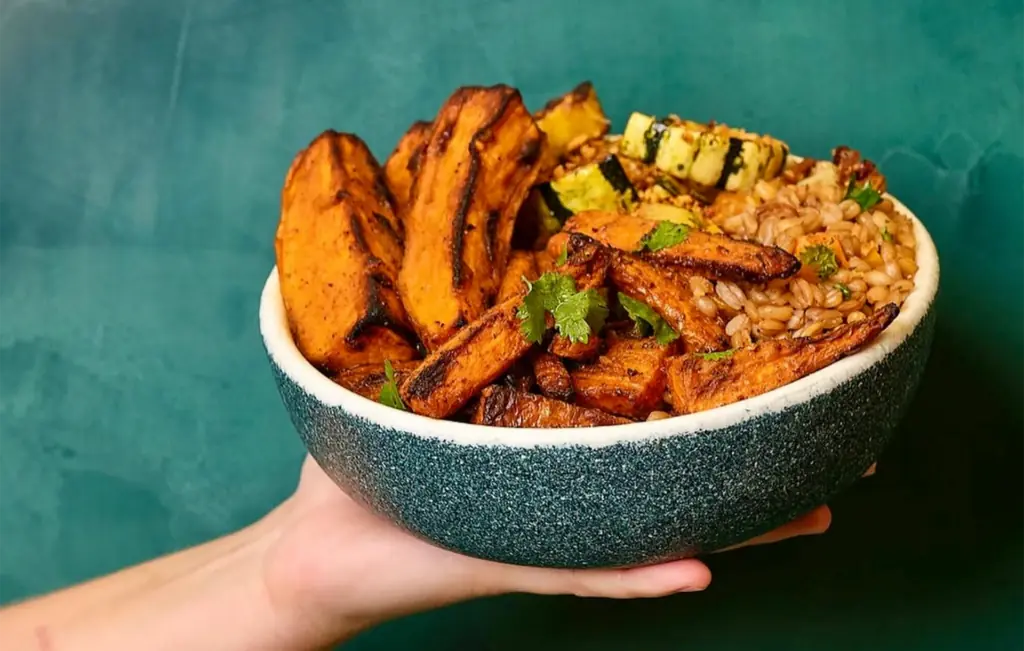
[[282, 349]]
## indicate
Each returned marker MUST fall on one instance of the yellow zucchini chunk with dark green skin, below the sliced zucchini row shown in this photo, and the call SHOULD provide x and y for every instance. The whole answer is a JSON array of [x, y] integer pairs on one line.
[[603, 186]]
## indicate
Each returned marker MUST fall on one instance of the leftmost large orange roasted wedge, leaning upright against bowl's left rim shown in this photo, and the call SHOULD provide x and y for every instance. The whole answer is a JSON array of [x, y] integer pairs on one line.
[[338, 252]]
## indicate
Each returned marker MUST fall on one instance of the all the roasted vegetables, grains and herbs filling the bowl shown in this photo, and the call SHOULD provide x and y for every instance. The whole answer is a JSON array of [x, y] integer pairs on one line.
[[531, 271]]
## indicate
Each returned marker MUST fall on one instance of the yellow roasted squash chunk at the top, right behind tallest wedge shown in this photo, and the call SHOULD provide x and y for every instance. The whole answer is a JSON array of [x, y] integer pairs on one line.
[[571, 121]]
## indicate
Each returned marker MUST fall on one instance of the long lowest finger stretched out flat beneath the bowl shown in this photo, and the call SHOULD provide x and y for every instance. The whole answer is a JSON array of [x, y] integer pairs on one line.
[[653, 581]]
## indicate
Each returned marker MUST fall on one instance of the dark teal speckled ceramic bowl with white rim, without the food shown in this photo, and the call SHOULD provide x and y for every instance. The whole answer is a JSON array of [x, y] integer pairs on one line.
[[613, 496]]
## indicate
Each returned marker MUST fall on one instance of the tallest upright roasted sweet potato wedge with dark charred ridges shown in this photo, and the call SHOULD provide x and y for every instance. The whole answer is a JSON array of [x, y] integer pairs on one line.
[[483, 156]]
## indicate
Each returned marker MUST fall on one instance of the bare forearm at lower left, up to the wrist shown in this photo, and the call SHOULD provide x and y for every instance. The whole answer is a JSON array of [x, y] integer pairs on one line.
[[210, 597]]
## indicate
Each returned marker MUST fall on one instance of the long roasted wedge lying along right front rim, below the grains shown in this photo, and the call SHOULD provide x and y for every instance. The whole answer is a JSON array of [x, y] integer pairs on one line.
[[697, 383]]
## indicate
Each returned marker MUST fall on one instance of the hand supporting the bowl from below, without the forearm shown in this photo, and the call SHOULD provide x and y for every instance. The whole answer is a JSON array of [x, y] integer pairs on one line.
[[337, 569]]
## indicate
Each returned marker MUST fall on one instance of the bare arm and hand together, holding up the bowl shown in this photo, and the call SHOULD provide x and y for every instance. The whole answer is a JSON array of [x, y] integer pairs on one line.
[[314, 573]]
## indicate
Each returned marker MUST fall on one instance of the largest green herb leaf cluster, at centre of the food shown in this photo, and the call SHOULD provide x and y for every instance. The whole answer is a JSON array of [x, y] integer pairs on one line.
[[577, 315]]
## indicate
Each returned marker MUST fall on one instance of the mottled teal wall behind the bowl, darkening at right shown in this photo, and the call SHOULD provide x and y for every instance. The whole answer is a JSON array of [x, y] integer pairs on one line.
[[143, 146]]
